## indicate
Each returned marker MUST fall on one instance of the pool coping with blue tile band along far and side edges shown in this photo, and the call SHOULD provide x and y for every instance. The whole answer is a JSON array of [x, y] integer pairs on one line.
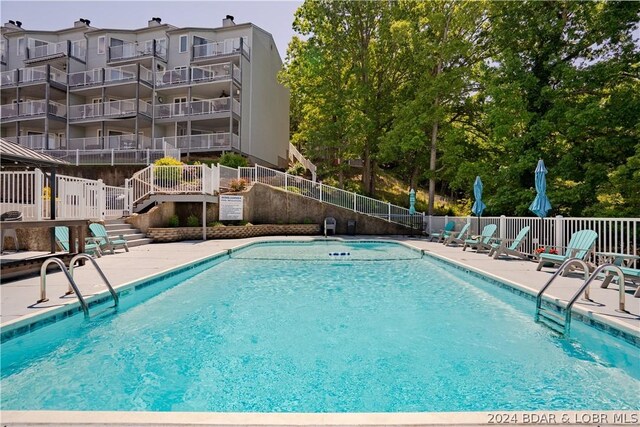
[[31, 322]]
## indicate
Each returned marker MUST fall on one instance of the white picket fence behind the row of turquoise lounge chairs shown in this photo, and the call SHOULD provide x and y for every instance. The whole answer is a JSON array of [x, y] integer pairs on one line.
[[617, 235]]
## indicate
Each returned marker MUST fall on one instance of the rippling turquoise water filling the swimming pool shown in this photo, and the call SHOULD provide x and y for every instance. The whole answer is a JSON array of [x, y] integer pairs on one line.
[[378, 330]]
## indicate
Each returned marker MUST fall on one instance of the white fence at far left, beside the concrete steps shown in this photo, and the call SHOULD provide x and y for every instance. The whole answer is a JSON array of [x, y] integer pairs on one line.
[[30, 192]]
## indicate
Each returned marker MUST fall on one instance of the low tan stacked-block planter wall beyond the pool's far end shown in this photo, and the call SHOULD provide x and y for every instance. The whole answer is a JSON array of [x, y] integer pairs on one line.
[[232, 232]]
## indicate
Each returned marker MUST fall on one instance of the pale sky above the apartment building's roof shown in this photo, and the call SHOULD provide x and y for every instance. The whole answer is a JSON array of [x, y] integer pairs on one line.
[[275, 17]]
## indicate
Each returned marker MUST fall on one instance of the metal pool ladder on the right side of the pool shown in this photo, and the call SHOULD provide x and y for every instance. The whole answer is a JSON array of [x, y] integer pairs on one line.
[[555, 320]]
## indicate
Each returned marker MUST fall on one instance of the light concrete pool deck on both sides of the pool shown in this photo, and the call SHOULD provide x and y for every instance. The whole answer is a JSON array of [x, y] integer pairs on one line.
[[18, 298]]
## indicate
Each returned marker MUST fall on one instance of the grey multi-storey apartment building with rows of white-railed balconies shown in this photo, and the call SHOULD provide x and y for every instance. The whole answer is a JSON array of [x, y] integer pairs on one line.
[[91, 94]]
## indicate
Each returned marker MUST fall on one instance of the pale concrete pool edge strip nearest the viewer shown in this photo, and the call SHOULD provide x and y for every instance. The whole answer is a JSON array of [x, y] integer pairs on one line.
[[325, 419]]
